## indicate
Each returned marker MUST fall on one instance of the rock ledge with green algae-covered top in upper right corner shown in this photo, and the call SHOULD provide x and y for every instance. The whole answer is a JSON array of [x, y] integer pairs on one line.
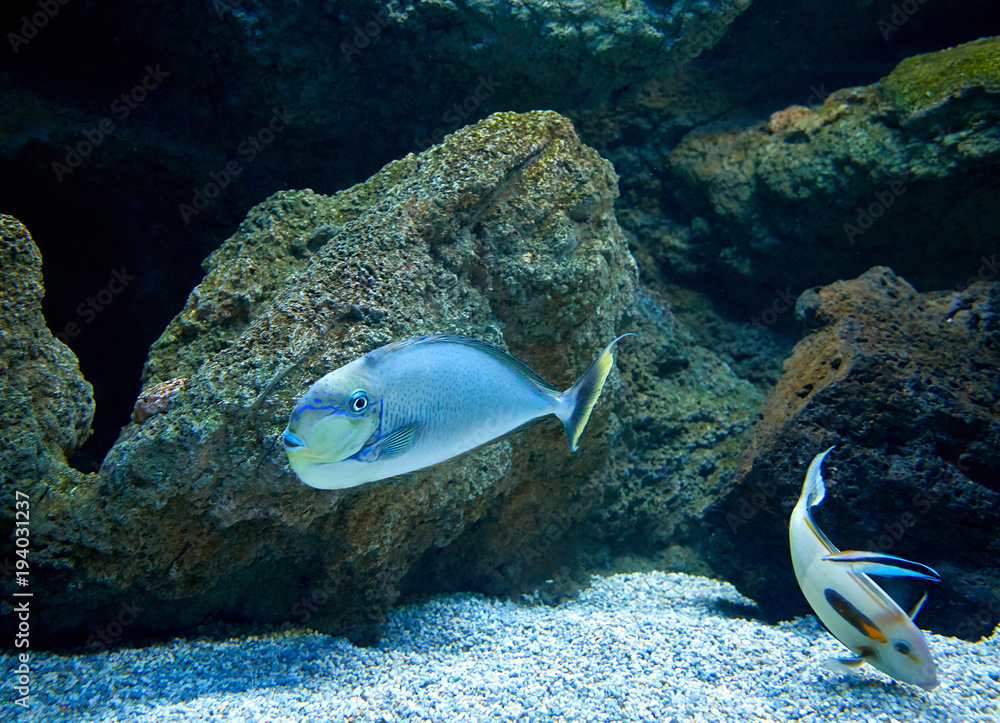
[[890, 173]]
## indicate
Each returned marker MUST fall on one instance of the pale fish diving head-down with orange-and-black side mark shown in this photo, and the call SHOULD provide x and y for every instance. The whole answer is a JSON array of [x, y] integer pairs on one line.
[[847, 601]]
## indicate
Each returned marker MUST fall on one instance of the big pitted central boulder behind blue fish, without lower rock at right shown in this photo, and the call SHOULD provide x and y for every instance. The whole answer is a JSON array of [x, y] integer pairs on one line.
[[505, 234]]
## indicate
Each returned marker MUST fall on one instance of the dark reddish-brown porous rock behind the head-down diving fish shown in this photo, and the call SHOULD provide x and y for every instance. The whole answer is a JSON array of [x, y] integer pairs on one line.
[[906, 386]]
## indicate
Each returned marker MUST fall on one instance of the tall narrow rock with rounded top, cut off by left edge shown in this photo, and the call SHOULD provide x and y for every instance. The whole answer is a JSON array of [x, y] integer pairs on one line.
[[46, 407]]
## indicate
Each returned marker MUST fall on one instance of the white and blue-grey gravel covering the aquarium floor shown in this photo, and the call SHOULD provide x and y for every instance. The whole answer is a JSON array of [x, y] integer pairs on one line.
[[633, 647]]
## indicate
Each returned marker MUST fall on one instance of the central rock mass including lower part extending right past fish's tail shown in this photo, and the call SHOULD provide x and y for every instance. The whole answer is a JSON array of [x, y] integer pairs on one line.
[[506, 233]]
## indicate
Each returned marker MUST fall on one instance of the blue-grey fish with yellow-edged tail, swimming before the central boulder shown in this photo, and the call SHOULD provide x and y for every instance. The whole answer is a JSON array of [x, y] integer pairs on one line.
[[414, 403]]
